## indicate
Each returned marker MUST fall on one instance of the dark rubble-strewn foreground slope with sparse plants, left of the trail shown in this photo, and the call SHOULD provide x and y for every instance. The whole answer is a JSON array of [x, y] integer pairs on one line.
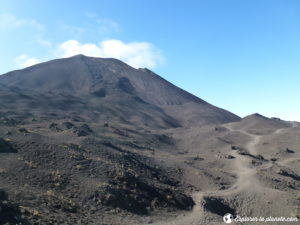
[[59, 174]]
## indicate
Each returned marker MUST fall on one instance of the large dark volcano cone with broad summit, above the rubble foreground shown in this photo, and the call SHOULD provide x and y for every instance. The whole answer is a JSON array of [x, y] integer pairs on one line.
[[105, 89]]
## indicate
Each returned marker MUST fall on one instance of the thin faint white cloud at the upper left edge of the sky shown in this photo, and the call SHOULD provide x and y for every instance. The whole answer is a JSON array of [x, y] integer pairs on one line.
[[8, 21]]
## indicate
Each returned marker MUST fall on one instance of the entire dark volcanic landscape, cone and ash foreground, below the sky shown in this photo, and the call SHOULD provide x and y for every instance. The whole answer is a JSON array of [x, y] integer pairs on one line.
[[94, 141]]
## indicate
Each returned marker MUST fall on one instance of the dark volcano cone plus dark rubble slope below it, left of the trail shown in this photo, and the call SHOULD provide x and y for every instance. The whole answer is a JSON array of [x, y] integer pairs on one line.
[[82, 142]]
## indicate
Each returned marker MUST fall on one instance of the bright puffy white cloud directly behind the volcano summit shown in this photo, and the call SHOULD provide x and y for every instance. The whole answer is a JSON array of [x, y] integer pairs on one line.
[[136, 54]]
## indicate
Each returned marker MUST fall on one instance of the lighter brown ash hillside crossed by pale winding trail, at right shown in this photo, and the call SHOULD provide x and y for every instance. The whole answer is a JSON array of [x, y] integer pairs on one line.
[[248, 168]]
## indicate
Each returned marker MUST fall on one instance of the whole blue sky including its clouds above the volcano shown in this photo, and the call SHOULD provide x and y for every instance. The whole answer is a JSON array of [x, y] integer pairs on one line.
[[241, 55]]
